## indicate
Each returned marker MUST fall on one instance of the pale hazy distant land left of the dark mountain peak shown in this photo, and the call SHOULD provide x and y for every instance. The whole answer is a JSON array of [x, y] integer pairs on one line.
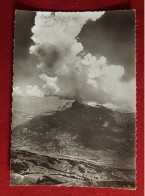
[[25, 107]]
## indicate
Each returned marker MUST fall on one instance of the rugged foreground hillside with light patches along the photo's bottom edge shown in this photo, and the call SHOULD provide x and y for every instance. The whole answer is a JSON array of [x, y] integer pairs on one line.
[[34, 169]]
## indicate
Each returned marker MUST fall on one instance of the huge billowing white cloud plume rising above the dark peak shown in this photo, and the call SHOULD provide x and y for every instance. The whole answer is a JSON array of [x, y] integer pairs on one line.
[[67, 71]]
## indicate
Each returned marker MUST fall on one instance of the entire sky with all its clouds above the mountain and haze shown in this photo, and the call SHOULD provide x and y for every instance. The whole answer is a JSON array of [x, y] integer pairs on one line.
[[88, 56]]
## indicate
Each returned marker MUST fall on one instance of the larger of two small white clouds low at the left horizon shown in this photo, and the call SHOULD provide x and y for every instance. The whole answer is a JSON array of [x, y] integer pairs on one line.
[[33, 91]]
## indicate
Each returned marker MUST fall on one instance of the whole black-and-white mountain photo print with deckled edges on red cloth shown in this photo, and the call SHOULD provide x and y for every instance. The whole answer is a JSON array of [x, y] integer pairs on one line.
[[74, 99]]
